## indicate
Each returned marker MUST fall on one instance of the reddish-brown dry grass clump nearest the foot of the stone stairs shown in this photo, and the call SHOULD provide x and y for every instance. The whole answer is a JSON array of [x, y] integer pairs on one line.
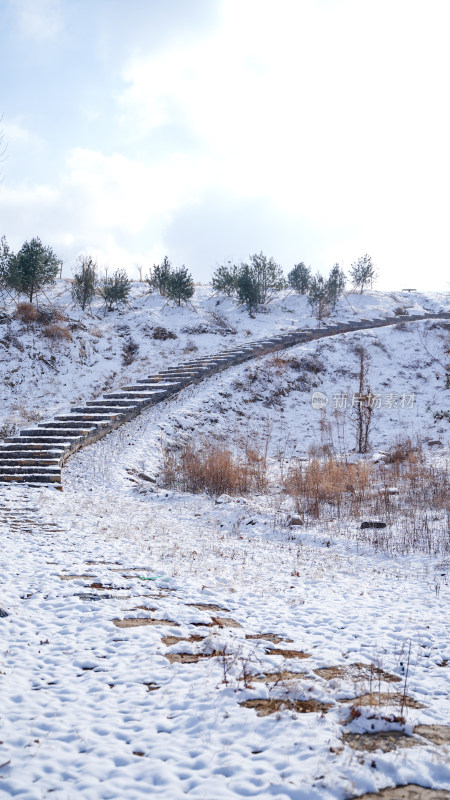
[[213, 468]]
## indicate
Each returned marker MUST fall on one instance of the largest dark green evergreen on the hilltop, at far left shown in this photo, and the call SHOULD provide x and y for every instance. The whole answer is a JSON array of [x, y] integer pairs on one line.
[[34, 266]]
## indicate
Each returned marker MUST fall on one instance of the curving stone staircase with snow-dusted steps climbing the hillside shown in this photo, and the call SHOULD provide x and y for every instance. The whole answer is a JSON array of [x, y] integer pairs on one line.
[[37, 455]]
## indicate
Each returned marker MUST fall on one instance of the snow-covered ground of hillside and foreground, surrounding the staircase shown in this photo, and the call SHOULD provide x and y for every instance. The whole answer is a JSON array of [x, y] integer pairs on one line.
[[161, 643]]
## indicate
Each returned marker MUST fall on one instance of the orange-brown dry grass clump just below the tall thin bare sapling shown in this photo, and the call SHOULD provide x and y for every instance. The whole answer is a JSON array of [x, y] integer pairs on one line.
[[329, 483]]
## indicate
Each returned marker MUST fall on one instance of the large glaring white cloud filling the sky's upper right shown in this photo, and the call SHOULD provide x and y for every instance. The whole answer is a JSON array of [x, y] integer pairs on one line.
[[334, 112]]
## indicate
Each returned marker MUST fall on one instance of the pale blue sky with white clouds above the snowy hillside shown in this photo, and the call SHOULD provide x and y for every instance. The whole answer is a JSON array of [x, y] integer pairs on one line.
[[314, 130]]
